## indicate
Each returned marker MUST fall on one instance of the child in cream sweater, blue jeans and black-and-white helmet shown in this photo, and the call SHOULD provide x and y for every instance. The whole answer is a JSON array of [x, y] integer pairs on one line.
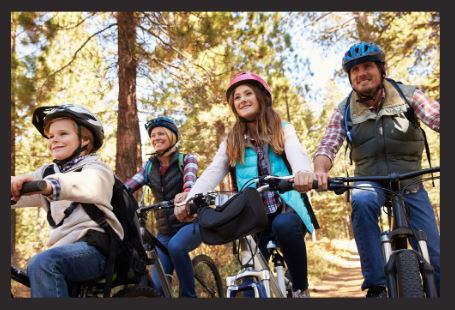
[[74, 135]]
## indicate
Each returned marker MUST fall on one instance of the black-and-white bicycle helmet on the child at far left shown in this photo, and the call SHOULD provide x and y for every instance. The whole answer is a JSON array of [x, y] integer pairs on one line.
[[82, 116]]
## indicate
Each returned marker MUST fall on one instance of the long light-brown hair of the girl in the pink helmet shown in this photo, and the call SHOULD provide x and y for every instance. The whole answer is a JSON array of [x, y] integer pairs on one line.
[[268, 128]]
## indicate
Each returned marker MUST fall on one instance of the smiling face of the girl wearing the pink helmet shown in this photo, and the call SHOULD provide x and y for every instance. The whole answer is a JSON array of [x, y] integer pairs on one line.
[[245, 102]]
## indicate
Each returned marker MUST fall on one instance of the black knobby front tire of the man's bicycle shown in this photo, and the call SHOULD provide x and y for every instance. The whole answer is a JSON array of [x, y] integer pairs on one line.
[[408, 275]]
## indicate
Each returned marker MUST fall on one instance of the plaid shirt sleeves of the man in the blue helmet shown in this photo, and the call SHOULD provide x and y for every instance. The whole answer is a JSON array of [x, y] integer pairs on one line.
[[426, 109]]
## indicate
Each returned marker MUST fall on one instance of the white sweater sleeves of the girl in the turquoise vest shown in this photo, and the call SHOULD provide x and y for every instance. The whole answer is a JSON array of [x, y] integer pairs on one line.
[[296, 154]]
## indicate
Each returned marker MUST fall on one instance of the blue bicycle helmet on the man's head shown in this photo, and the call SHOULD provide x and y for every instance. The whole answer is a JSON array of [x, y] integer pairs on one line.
[[362, 52]]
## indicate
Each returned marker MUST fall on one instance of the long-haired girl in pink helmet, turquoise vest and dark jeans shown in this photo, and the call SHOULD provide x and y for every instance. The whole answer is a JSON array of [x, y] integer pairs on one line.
[[260, 144]]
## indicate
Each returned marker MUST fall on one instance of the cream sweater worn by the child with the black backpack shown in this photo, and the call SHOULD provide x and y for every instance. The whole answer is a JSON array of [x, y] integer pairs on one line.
[[93, 184]]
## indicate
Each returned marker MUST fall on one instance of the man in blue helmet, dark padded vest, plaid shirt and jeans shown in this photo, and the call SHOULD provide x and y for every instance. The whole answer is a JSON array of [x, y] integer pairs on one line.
[[383, 139]]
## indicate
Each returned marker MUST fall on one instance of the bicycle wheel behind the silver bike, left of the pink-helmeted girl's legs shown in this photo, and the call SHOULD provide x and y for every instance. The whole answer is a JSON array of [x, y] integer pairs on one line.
[[207, 278]]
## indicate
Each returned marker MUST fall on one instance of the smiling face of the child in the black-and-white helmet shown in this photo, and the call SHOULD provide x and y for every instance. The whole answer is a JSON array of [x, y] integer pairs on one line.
[[63, 139]]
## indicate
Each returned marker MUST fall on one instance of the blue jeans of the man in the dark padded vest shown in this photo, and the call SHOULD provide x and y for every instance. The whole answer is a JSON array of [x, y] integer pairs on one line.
[[366, 208]]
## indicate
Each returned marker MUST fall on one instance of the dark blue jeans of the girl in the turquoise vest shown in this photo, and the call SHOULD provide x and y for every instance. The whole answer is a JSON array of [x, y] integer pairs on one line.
[[288, 230]]
